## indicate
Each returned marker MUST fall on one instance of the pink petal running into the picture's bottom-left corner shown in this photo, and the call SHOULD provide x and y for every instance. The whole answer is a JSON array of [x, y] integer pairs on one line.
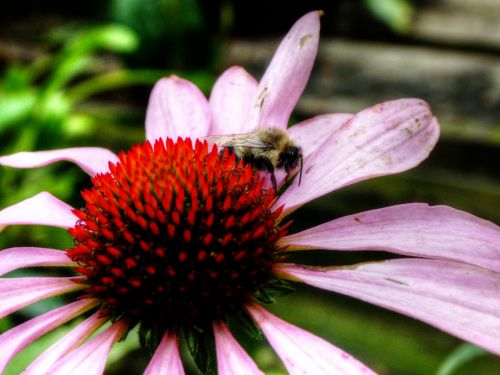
[[17, 338]]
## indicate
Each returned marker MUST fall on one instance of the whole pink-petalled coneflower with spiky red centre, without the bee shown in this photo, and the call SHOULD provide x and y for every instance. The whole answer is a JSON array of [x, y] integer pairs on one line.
[[175, 237]]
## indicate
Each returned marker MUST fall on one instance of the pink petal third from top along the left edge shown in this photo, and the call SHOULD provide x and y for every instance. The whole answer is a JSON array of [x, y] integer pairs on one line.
[[19, 257]]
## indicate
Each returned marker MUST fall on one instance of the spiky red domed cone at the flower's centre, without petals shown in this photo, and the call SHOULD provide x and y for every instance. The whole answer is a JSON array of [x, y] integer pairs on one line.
[[176, 235]]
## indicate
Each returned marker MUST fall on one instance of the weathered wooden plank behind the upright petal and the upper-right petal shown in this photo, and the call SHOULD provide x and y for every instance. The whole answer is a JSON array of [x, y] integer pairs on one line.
[[463, 88]]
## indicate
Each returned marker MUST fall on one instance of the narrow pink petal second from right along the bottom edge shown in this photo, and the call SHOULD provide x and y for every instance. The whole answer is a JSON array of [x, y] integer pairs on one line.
[[231, 357]]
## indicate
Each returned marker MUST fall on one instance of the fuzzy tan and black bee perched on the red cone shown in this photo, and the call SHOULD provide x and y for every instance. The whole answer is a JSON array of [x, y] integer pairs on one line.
[[265, 149]]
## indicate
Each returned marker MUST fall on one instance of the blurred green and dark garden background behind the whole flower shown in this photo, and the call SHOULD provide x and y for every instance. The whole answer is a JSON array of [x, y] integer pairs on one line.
[[79, 74]]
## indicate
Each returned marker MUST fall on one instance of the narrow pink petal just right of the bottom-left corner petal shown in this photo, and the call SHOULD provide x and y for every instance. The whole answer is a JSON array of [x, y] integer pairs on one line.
[[44, 362]]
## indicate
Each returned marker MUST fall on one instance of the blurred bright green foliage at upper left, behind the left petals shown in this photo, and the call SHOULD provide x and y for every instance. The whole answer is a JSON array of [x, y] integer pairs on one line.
[[40, 104]]
